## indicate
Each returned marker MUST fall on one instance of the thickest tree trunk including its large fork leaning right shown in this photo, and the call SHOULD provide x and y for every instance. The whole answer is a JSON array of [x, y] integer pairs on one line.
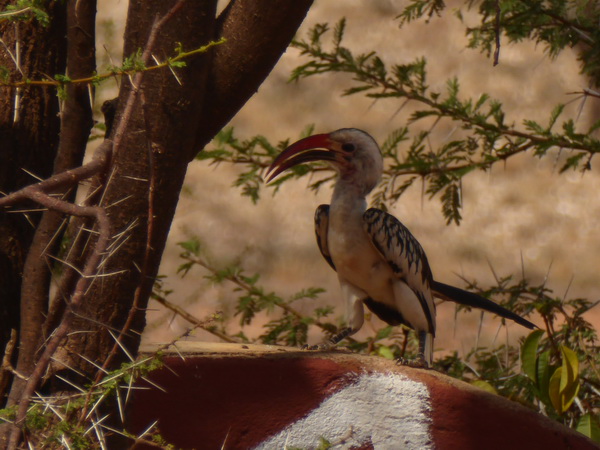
[[170, 124]]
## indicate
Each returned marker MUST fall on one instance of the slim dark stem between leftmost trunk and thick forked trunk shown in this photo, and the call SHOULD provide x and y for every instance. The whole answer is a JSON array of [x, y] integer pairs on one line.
[[76, 123]]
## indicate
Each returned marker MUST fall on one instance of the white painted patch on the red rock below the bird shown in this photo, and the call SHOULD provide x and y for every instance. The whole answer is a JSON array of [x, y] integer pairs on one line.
[[388, 411]]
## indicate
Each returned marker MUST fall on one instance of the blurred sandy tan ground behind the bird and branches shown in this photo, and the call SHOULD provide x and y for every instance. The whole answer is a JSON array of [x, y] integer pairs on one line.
[[523, 211]]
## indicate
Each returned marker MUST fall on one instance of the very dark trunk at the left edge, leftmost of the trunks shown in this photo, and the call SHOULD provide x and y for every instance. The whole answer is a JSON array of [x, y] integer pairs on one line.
[[29, 134]]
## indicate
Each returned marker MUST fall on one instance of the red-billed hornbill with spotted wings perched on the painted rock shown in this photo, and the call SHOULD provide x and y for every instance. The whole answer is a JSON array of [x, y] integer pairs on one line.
[[379, 262]]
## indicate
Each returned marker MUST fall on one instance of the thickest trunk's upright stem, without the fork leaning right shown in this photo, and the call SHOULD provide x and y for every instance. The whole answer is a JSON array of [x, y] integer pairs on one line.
[[154, 127]]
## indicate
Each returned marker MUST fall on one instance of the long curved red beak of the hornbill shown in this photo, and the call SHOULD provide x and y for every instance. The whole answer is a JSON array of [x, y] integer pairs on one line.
[[305, 150]]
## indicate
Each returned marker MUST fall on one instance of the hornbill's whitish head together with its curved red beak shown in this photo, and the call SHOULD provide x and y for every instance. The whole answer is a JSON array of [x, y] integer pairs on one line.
[[353, 153]]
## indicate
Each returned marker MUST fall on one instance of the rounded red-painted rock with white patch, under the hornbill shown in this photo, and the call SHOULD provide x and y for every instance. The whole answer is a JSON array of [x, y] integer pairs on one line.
[[232, 396]]
